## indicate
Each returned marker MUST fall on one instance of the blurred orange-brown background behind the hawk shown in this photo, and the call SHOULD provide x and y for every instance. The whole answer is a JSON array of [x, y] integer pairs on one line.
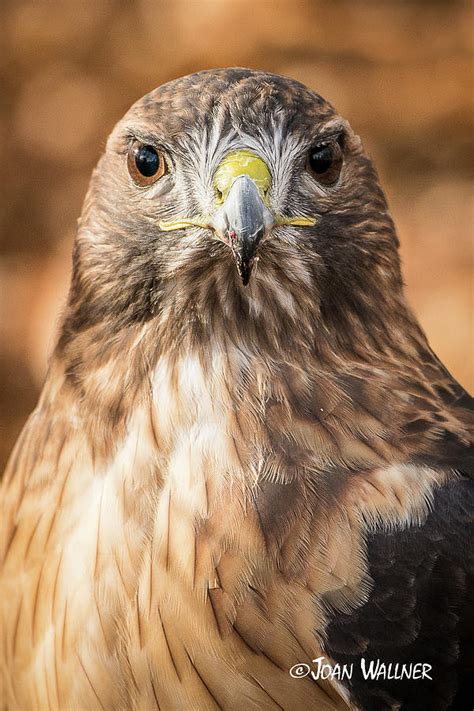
[[401, 72]]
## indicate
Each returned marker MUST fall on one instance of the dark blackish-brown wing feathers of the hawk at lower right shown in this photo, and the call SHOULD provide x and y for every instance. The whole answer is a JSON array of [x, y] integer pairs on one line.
[[419, 609]]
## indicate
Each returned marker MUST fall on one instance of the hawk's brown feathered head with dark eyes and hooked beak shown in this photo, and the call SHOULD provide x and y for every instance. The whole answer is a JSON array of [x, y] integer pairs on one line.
[[238, 193]]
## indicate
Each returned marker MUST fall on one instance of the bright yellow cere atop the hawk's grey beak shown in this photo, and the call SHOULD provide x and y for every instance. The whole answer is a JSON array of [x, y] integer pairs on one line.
[[242, 163]]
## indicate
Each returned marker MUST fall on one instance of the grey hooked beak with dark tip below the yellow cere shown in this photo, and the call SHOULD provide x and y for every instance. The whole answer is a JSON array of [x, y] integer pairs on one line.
[[241, 222]]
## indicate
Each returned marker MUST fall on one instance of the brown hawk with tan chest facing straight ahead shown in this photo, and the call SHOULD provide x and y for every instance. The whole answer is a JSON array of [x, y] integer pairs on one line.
[[246, 462]]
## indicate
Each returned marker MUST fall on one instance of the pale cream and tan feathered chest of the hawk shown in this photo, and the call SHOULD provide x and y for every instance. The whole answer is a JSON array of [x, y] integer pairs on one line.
[[191, 565]]
